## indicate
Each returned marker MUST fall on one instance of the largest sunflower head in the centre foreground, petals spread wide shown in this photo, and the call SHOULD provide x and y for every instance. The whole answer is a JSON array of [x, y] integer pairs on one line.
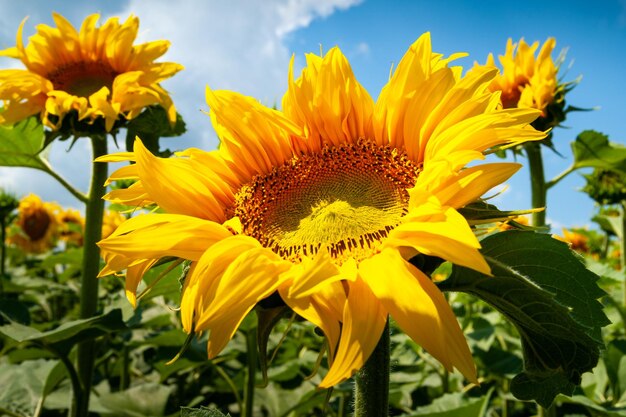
[[324, 202]]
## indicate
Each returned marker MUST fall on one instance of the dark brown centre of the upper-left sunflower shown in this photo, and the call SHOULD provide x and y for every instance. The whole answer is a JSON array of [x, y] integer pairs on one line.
[[82, 79]]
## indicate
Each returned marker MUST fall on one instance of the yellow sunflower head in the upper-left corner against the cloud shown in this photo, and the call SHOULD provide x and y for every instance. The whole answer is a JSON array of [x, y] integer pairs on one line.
[[96, 72]]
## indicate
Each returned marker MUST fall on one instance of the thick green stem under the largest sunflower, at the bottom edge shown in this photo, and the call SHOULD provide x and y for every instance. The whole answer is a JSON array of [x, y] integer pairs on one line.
[[371, 388]]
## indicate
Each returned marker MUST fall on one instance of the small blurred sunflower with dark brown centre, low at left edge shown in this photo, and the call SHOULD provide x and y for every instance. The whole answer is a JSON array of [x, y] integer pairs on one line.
[[36, 227]]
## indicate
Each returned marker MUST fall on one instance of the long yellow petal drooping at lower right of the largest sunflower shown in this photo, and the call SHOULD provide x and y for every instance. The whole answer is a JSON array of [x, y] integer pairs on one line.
[[419, 308]]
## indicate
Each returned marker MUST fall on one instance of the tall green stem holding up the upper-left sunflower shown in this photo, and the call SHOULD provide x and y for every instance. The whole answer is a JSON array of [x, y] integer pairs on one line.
[[90, 267]]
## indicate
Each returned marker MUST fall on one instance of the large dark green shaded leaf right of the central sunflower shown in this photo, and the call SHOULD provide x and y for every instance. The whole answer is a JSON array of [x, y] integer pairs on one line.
[[542, 287]]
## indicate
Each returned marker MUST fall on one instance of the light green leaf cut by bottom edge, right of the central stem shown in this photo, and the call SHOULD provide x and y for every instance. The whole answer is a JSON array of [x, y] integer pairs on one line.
[[455, 405]]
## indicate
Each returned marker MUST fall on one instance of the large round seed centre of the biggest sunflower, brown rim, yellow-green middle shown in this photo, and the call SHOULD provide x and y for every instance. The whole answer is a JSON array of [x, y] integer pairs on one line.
[[344, 198]]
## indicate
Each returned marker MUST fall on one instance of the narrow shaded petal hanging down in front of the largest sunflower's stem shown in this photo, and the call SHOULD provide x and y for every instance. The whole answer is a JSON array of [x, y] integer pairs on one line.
[[364, 319]]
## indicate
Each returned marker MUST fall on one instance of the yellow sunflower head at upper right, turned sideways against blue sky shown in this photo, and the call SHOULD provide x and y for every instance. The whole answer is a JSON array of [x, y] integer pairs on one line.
[[526, 81]]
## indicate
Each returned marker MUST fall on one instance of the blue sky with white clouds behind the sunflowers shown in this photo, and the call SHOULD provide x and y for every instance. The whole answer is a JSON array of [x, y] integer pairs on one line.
[[245, 45]]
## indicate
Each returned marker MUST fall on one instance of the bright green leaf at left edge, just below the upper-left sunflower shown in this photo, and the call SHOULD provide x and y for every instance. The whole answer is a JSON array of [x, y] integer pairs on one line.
[[21, 144]]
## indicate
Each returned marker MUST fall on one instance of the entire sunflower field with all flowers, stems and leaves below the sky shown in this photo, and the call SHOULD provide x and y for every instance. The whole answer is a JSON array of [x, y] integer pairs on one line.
[[338, 254]]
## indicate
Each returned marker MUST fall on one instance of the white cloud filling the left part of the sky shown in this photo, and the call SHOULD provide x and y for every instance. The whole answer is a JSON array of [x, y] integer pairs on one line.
[[236, 45]]
